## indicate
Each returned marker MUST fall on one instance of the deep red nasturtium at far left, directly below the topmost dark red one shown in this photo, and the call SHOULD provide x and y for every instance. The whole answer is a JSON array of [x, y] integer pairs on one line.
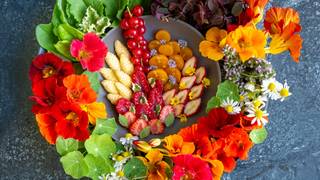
[[46, 94]]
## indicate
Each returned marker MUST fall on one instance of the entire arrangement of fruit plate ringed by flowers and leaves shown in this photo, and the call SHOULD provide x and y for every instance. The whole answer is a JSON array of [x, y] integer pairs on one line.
[[127, 96]]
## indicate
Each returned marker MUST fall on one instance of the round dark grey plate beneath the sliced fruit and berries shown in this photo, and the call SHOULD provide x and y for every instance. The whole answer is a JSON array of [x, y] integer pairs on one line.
[[178, 30]]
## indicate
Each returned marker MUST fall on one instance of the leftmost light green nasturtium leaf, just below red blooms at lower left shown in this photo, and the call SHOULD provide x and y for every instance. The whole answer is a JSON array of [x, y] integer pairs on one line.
[[64, 146]]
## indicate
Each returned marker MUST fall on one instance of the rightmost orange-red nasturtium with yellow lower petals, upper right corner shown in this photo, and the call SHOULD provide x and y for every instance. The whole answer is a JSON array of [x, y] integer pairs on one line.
[[283, 26]]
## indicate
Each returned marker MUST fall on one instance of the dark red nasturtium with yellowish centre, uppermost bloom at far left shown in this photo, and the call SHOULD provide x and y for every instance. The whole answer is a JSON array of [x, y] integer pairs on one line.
[[49, 65]]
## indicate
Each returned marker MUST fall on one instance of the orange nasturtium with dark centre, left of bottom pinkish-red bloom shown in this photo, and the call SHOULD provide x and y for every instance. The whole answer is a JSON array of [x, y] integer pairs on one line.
[[156, 167]]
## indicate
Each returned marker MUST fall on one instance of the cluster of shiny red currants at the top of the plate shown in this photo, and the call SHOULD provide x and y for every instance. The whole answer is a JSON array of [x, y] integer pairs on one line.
[[133, 30]]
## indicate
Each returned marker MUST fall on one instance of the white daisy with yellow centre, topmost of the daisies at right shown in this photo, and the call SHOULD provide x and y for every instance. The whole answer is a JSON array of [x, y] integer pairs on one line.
[[271, 87]]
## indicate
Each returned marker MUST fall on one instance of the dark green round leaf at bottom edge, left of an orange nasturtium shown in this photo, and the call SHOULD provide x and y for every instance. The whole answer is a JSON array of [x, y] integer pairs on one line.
[[135, 169]]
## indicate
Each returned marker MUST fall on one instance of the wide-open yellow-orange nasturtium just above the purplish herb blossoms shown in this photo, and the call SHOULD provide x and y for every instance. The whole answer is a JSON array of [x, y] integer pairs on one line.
[[248, 42]]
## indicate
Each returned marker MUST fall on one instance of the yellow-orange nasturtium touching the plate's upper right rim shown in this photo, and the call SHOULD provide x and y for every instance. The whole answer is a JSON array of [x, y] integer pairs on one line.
[[212, 46]]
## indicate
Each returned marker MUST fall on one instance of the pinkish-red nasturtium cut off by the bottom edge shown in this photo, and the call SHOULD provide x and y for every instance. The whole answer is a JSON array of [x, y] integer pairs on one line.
[[188, 167]]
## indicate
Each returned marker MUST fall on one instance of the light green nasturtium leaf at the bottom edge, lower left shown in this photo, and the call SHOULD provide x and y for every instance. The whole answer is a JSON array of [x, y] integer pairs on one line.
[[97, 166]]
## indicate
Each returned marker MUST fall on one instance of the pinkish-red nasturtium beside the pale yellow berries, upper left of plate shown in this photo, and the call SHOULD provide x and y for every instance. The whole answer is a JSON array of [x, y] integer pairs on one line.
[[90, 52]]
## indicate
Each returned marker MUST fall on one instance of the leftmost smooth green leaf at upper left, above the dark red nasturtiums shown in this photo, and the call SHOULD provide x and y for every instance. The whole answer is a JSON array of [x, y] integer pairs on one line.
[[45, 37]]
